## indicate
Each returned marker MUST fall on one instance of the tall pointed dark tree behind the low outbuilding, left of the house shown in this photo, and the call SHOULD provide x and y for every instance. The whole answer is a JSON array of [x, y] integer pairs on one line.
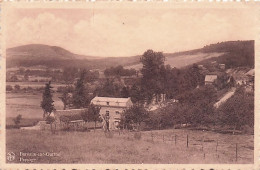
[[80, 94]]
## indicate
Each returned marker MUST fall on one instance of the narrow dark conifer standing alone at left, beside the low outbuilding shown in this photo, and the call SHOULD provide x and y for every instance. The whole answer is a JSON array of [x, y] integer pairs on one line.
[[47, 102]]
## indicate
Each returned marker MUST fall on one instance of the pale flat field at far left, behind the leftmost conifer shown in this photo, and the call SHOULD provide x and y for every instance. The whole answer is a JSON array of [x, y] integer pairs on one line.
[[28, 105]]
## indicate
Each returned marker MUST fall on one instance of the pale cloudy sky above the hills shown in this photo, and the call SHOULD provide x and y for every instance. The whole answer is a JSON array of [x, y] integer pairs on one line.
[[127, 32]]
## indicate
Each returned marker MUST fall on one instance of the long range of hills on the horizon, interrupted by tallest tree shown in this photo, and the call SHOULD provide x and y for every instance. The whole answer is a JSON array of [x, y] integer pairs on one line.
[[231, 53]]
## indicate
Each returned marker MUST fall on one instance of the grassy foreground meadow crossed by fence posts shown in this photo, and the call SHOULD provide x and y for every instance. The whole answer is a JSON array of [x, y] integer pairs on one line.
[[164, 146]]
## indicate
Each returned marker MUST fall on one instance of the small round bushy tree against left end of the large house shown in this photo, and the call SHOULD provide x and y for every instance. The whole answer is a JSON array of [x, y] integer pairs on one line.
[[92, 114]]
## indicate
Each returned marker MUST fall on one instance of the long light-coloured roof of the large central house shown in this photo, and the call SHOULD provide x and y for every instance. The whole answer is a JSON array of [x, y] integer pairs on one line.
[[110, 101]]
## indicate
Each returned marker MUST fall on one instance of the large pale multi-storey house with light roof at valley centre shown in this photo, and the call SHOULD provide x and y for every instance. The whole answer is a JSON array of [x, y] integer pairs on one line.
[[112, 108]]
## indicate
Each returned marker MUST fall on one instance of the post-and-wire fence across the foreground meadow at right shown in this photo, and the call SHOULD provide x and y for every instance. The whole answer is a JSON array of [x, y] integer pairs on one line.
[[207, 146]]
